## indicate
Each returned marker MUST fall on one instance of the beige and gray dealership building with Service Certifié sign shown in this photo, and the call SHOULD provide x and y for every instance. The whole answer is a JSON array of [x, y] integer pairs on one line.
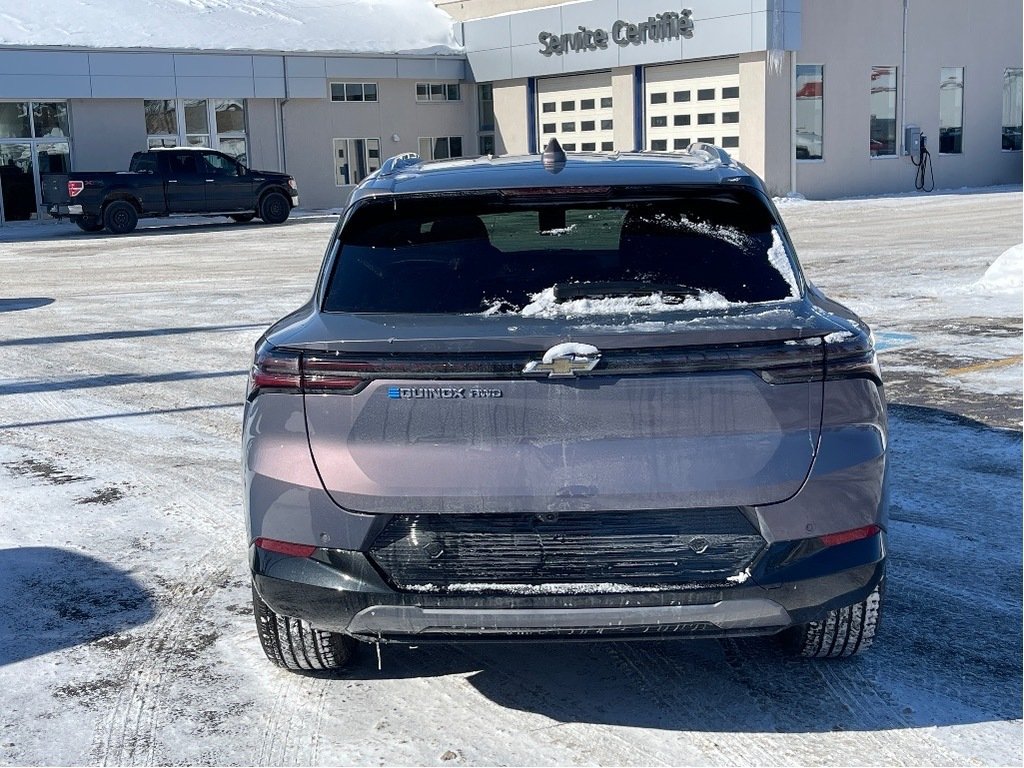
[[822, 98]]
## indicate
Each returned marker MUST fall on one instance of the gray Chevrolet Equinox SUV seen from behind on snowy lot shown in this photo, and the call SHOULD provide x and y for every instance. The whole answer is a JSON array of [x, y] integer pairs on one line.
[[539, 397]]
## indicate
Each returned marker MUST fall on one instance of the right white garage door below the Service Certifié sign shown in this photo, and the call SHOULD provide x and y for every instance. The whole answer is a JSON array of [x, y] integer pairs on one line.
[[696, 102]]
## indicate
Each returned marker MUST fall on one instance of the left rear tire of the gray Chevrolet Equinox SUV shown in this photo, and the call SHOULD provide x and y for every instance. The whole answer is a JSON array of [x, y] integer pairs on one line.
[[293, 645]]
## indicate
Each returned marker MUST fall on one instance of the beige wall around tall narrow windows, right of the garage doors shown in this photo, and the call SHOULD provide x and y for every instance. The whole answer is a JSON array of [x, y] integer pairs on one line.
[[941, 33]]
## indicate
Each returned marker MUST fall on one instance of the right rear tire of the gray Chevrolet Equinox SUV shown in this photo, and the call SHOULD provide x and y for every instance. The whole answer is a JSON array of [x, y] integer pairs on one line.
[[844, 632]]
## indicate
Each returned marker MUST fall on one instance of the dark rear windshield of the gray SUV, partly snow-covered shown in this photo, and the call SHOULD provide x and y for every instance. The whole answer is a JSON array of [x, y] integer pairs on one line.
[[501, 255]]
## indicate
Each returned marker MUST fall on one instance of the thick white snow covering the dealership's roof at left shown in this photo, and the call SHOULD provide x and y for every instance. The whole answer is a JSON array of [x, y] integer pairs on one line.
[[343, 26]]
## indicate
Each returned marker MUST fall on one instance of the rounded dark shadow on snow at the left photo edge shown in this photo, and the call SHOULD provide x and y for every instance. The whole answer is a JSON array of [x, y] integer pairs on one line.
[[56, 599]]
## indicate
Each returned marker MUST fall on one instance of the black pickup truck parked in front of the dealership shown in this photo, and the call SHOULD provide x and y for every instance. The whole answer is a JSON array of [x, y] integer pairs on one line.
[[176, 182]]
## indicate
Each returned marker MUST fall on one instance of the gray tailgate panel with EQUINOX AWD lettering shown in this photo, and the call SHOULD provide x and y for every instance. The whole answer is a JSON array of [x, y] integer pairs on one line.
[[645, 430]]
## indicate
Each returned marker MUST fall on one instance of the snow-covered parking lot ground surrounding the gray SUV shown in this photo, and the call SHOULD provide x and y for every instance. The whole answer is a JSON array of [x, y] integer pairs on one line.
[[125, 629]]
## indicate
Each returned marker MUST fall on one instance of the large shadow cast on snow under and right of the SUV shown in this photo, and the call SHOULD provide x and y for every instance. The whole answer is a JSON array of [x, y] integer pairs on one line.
[[949, 652]]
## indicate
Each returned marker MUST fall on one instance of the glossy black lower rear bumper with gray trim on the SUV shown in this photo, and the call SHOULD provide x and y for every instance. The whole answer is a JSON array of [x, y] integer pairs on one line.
[[342, 591]]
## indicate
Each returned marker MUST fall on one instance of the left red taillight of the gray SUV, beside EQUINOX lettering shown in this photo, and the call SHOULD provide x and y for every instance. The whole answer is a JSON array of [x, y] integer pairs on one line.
[[291, 371]]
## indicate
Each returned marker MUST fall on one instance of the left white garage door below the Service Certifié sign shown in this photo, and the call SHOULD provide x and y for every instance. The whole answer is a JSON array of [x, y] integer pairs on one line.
[[578, 111]]
